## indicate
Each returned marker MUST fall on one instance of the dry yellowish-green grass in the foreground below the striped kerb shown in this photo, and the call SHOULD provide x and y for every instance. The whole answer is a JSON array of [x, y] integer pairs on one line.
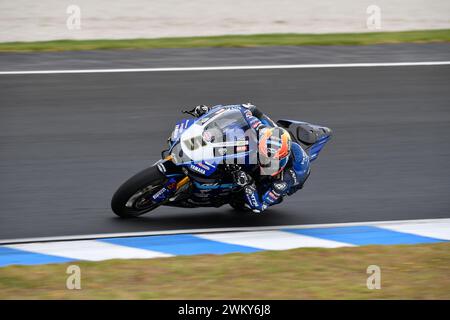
[[407, 272]]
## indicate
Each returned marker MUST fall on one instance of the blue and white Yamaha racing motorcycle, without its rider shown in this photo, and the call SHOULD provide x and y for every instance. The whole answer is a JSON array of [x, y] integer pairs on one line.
[[197, 168]]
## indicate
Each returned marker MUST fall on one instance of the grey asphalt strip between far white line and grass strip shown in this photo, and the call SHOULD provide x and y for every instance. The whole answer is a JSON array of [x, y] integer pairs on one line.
[[201, 57]]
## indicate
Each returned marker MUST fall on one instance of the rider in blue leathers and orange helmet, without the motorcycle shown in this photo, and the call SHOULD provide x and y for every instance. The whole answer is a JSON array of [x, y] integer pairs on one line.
[[283, 164]]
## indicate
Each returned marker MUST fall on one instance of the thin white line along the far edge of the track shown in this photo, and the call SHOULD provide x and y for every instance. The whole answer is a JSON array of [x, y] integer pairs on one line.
[[225, 68]]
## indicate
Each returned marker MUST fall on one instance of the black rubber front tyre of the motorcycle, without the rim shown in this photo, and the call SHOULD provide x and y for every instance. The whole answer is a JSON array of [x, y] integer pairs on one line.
[[150, 177]]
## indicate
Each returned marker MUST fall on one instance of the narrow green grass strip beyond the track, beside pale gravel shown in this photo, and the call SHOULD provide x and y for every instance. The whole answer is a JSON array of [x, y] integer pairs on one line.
[[425, 36]]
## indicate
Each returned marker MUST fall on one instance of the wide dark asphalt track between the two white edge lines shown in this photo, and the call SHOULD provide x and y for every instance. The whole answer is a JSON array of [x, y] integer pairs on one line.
[[67, 141]]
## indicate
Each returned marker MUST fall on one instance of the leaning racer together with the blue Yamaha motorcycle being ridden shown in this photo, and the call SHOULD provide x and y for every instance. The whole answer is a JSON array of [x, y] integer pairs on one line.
[[229, 154]]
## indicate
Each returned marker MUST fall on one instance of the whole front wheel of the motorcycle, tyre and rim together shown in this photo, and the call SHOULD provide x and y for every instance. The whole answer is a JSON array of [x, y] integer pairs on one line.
[[134, 196]]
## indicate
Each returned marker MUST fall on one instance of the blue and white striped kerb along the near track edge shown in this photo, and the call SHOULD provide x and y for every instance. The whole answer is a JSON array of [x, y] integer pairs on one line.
[[222, 241]]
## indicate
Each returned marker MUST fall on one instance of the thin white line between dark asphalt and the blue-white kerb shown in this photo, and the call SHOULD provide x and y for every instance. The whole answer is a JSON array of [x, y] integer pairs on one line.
[[216, 230]]
